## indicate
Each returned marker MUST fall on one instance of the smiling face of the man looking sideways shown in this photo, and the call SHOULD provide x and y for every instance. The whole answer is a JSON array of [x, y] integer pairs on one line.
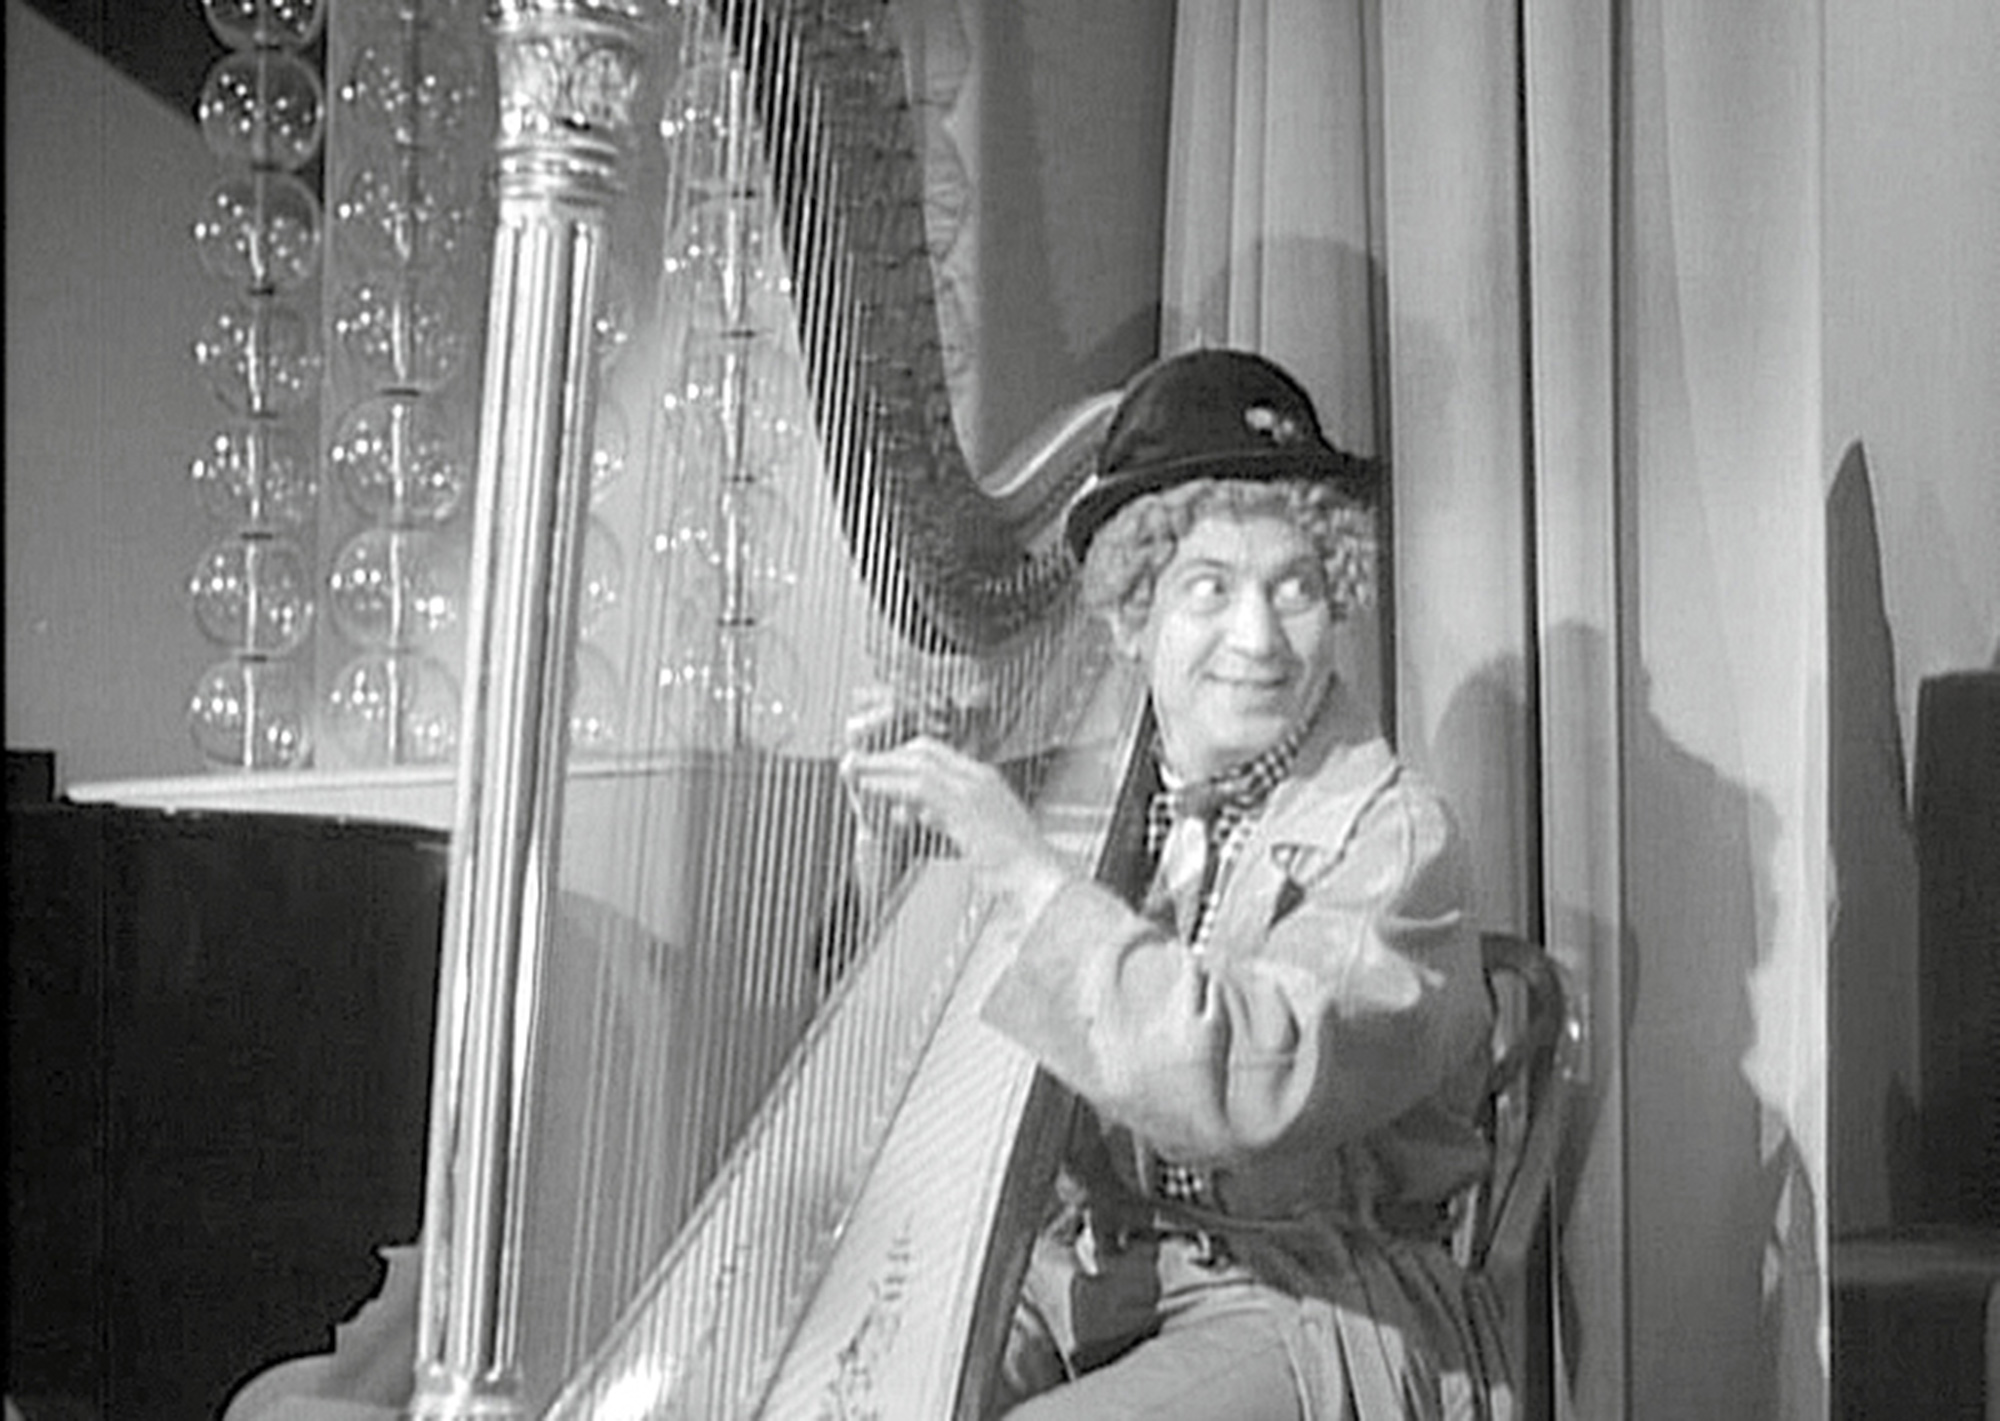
[[1239, 643]]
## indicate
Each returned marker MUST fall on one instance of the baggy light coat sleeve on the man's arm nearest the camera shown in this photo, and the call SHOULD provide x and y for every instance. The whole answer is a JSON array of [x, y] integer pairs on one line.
[[1343, 1014]]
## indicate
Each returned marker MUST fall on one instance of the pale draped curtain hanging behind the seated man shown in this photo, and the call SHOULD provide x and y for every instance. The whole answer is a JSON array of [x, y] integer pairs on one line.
[[1519, 255]]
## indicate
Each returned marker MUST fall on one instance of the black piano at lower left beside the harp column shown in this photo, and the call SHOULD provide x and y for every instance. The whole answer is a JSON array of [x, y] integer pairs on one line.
[[219, 1058]]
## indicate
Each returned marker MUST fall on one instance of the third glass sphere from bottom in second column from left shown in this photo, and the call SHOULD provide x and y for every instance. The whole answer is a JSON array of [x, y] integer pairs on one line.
[[401, 461]]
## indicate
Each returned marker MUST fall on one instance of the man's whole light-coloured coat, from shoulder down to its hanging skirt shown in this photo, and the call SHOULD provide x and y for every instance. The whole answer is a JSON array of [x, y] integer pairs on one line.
[[1321, 1054]]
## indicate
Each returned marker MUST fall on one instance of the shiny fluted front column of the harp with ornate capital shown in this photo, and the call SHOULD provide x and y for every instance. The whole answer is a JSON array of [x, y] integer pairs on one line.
[[569, 81]]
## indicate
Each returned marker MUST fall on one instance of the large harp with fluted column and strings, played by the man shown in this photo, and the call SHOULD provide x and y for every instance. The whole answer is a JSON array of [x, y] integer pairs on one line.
[[701, 1146]]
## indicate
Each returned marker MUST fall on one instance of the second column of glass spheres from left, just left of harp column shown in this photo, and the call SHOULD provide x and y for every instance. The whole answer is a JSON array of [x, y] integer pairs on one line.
[[407, 273]]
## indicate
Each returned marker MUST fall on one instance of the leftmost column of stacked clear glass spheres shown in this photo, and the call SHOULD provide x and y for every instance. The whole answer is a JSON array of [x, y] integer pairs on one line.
[[253, 591]]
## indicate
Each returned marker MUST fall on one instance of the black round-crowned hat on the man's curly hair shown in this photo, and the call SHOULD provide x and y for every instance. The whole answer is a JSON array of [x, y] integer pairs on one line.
[[1211, 415]]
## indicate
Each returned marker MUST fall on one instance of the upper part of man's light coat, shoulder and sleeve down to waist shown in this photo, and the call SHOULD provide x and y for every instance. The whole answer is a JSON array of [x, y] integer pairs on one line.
[[1325, 1050]]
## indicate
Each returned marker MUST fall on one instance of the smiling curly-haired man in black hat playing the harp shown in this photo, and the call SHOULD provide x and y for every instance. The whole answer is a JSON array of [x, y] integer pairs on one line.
[[1281, 1046]]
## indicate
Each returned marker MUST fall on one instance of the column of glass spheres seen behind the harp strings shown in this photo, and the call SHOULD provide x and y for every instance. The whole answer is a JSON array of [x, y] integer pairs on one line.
[[735, 421]]
